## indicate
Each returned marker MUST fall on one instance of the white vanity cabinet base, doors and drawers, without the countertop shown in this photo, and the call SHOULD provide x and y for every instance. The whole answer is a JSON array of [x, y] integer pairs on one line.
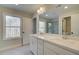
[[42, 47]]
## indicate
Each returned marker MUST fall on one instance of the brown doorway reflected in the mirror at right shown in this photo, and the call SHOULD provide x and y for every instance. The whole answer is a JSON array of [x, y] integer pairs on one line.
[[66, 25]]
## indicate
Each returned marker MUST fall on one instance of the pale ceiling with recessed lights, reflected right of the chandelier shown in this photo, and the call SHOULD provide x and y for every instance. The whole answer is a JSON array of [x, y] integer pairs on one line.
[[55, 11]]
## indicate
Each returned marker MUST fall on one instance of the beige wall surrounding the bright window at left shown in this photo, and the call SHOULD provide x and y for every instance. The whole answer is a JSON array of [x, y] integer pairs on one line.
[[5, 44]]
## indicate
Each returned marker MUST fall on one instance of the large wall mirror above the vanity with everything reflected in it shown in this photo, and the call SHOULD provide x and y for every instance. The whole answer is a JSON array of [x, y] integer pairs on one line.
[[60, 21]]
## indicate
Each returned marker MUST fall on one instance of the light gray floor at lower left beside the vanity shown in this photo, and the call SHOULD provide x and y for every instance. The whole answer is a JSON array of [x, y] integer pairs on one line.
[[24, 50]]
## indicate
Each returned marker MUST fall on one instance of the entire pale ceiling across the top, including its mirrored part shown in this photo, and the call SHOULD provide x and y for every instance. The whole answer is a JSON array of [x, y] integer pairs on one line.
[[52, 10]]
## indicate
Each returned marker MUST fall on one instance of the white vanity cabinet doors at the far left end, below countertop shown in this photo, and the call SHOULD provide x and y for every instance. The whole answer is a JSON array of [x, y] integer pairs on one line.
[[36, 45]]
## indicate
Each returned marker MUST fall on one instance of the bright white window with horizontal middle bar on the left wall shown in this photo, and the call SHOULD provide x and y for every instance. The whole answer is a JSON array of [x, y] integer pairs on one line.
[[12, 27]]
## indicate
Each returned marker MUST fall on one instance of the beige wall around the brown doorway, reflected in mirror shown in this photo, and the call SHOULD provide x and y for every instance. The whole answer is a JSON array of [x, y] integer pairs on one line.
[[74, 22]]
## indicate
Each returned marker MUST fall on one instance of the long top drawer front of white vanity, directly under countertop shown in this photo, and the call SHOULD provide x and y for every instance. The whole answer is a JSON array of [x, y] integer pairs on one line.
[[57, 49]]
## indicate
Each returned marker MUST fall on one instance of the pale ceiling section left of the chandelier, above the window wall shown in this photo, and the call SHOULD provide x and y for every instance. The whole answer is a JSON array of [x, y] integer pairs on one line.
[[27, 8]]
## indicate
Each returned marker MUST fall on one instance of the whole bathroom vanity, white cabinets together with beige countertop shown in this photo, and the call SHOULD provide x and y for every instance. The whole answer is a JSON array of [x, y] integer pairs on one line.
[[53, 44]]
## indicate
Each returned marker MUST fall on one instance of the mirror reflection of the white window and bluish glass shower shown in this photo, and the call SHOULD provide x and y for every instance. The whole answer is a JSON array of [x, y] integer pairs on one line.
[[47, 24]]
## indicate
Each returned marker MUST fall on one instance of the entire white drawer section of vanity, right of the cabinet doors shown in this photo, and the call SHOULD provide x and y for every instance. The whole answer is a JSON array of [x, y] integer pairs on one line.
[[53, 49]]
